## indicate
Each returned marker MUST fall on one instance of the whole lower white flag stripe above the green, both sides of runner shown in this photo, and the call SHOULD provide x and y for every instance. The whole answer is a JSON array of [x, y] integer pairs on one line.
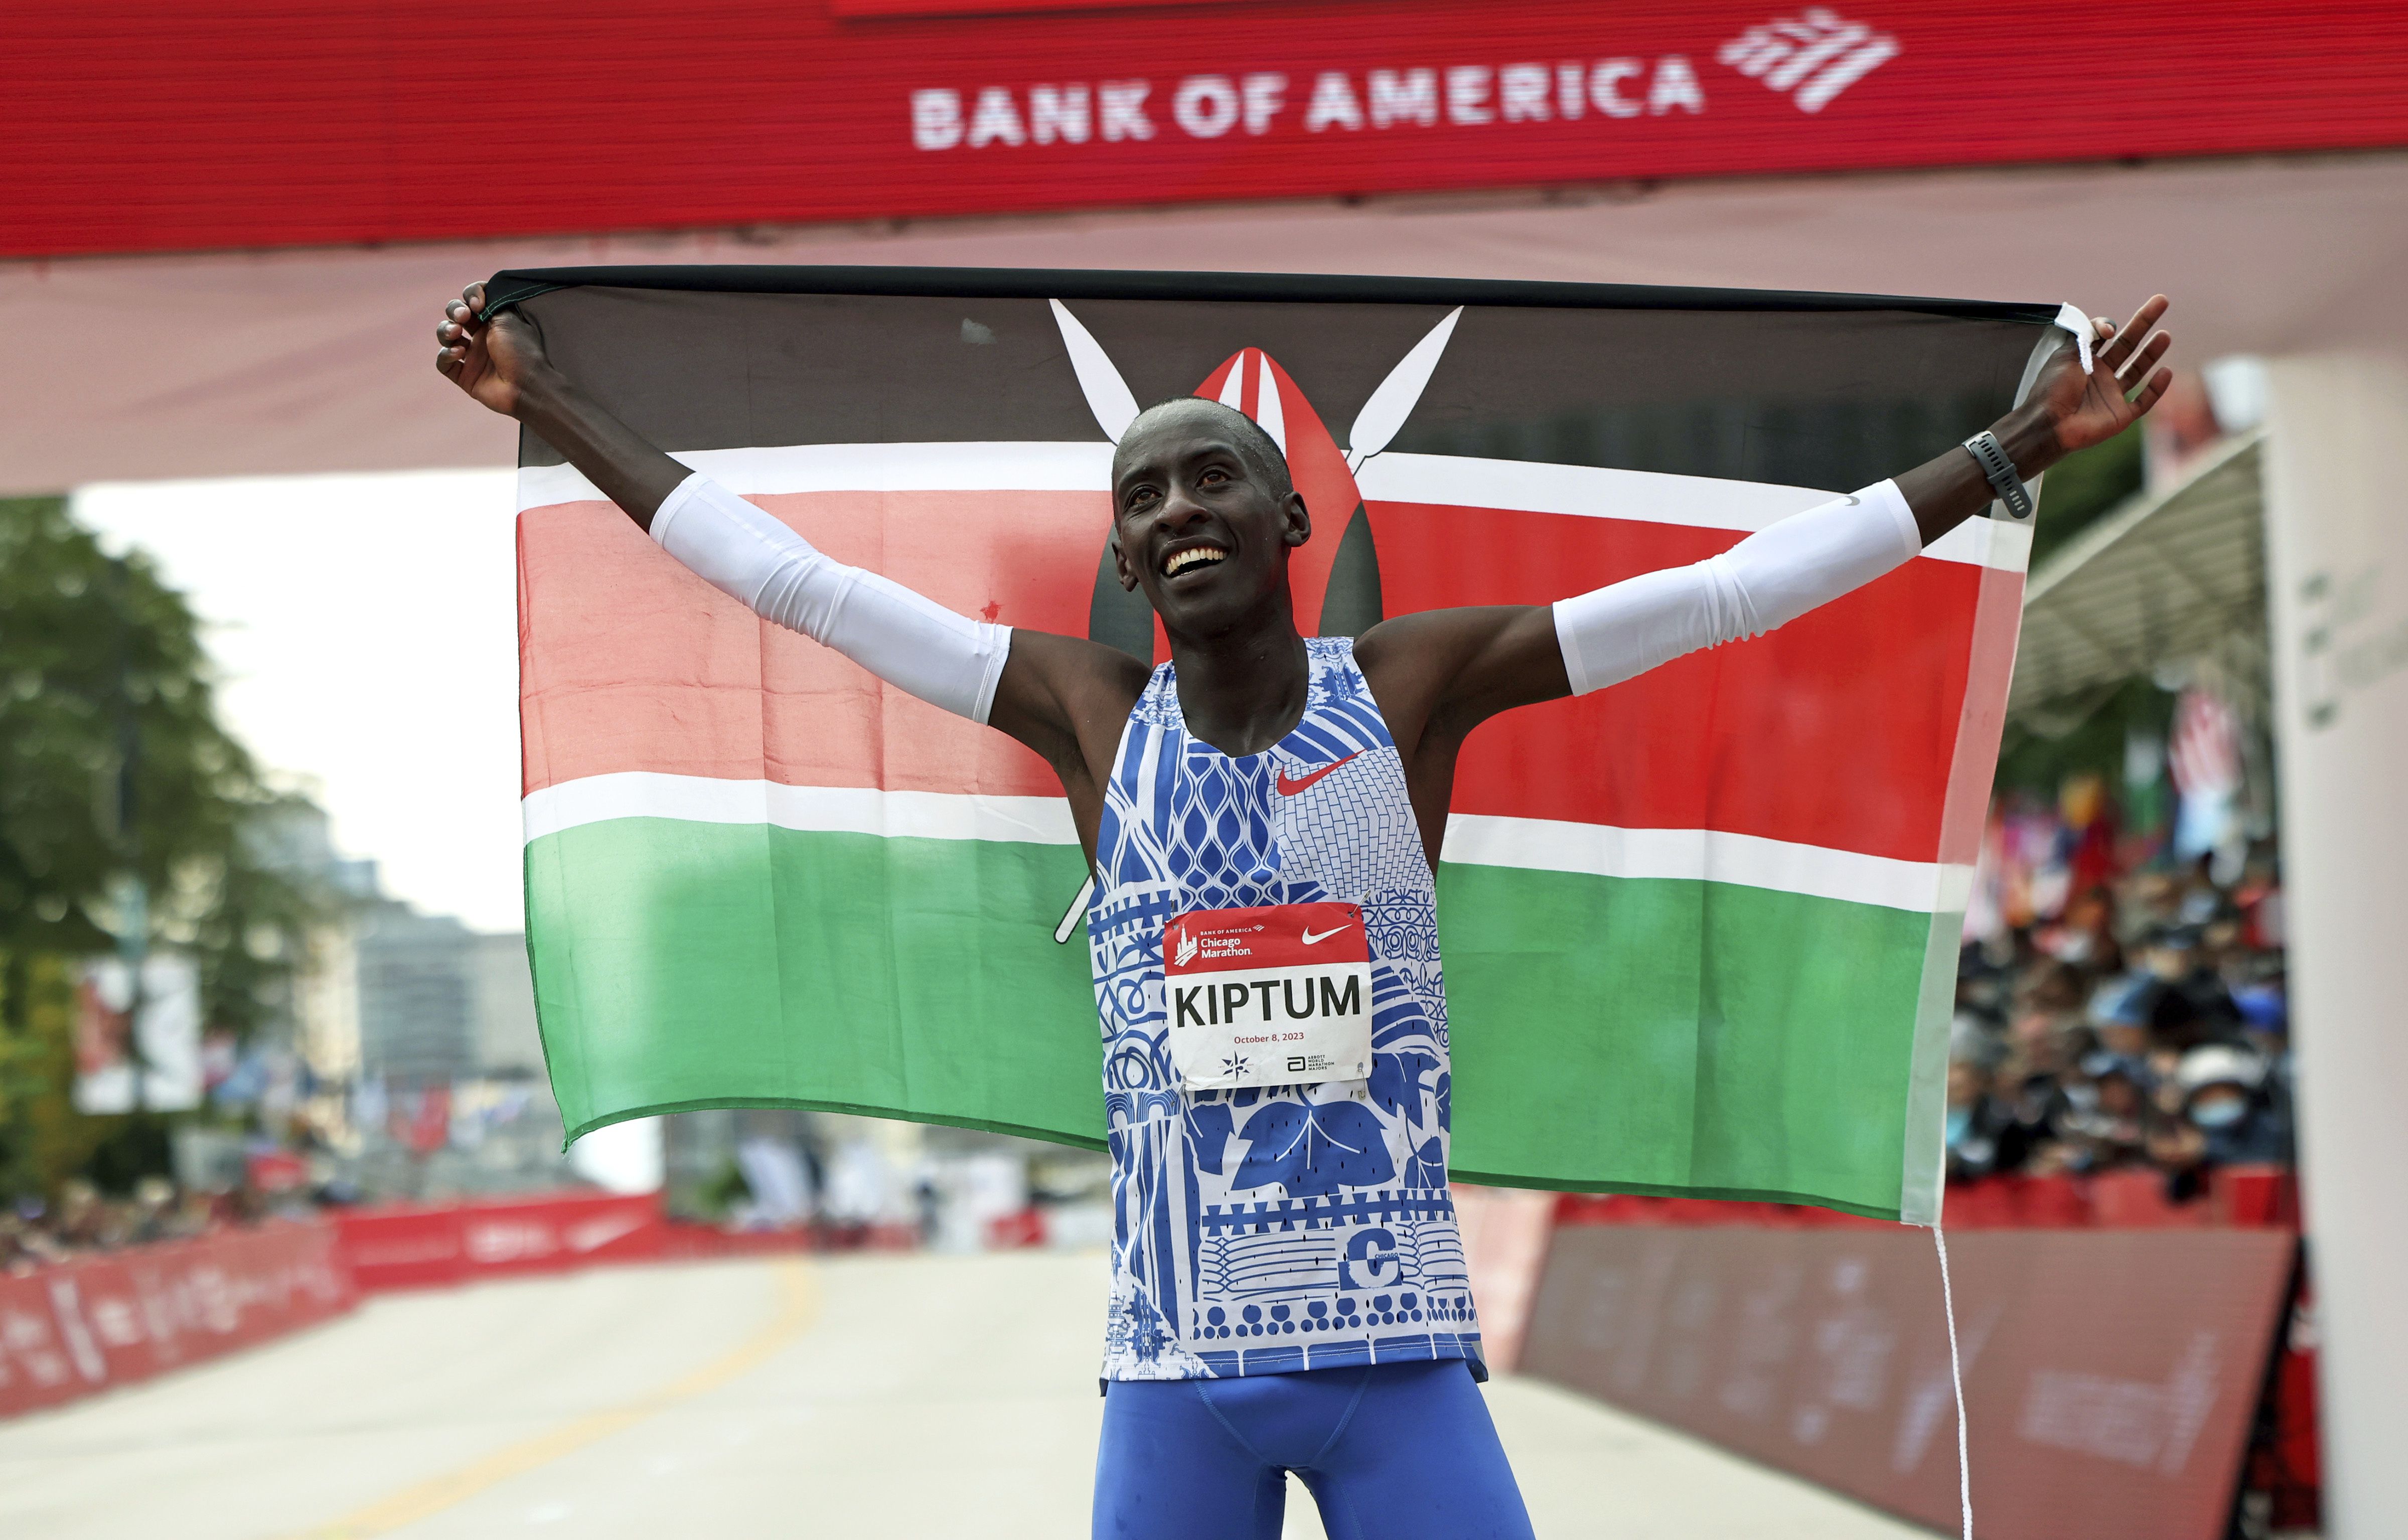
[[1477, 841]]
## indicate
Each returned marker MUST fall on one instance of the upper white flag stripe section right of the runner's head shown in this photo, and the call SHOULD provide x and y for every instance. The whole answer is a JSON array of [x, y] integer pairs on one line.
[[1648, 499]]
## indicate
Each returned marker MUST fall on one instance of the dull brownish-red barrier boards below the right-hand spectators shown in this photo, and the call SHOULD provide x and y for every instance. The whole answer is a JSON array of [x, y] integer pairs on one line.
[[2111, 1378]]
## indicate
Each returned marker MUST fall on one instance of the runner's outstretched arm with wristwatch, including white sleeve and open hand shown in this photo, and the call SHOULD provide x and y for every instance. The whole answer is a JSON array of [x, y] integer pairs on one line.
[[1446, 673]]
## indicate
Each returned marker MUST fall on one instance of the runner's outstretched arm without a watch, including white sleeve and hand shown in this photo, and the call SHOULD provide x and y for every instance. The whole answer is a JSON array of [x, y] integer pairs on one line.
[[1061, 697]]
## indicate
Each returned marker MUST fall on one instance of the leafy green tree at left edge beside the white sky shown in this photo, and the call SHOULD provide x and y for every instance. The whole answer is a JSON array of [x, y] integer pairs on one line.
[[117, 771]]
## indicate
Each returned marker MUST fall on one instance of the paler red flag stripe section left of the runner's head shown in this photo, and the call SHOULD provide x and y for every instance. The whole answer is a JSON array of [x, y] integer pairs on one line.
[[630, 663]]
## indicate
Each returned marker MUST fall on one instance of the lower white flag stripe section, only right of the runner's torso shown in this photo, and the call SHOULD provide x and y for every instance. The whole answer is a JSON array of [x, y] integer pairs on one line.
[[1708, 855]]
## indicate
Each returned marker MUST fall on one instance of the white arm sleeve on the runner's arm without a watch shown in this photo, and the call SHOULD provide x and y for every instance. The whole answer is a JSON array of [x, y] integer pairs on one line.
[[899, 636]]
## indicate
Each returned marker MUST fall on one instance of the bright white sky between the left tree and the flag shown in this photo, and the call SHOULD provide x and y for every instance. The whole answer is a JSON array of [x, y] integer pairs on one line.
[[367, 644]]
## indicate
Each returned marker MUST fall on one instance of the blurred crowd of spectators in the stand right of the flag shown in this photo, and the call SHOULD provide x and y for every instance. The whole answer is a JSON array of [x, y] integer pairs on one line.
[[2140, 1026]]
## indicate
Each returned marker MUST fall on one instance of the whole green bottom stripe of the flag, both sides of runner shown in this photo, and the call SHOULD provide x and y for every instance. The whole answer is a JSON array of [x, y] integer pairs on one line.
[[1757, 1036]]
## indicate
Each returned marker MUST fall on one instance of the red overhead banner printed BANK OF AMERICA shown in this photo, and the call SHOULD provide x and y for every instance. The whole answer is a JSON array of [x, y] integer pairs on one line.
[[155, 126]]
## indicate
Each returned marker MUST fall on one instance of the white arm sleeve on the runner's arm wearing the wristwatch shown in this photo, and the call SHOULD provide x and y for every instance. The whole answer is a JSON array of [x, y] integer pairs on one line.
[[1766, 581]]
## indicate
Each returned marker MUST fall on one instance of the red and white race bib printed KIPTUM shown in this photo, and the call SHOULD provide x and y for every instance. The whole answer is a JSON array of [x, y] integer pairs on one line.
[[1268, 997]]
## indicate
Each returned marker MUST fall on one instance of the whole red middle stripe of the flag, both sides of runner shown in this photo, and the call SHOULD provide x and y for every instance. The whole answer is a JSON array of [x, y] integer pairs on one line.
[[644, 668]]
